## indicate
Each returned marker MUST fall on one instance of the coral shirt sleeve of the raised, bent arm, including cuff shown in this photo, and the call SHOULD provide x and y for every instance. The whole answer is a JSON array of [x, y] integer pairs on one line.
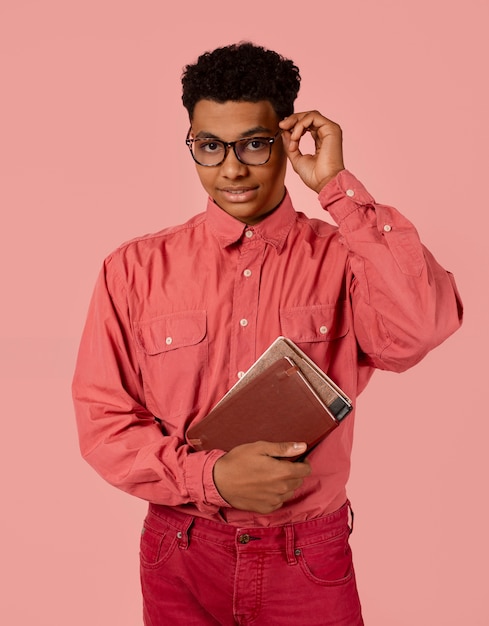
[[404, 302]]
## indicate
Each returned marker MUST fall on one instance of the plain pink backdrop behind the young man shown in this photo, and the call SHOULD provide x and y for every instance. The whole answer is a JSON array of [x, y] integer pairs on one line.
[[92, 154]]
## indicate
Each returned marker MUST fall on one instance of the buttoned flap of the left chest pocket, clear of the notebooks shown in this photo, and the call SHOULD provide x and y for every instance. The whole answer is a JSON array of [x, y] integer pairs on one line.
[[172, 331]]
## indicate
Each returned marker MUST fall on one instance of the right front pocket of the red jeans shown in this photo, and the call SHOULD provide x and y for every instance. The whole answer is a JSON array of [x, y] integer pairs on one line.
[[328, 562]]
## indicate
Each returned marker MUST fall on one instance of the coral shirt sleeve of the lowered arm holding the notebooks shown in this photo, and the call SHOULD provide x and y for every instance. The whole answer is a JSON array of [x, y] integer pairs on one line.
[[118, 436]]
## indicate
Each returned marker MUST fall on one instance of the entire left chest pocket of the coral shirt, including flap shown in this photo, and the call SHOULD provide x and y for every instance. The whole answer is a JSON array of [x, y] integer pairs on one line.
[[173, 352]]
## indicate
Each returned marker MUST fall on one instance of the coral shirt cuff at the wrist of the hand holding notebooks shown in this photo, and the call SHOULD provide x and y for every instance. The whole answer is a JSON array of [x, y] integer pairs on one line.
[[199, 480]]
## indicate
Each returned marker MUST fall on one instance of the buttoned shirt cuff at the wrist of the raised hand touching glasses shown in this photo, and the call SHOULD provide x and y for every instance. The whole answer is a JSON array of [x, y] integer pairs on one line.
[[343, 195]]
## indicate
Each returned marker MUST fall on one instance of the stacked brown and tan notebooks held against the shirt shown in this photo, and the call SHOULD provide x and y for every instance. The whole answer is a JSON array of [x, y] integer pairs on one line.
[[274, 401]]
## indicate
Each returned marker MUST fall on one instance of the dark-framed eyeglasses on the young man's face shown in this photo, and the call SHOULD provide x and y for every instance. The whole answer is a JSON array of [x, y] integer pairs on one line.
[[210, 152]]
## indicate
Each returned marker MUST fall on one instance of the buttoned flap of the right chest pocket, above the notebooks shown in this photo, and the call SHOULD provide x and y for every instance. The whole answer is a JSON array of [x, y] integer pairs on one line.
[[314, 323]]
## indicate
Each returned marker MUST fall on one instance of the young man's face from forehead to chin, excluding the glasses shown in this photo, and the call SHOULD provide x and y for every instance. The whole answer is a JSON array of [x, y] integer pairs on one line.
[[247, 192]]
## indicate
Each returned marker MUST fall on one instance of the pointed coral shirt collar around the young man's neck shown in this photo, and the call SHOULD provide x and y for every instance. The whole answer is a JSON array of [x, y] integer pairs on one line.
[[273, 229]]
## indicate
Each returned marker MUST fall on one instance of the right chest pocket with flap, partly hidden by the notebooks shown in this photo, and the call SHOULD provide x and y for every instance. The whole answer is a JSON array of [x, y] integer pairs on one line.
[[321, 331]]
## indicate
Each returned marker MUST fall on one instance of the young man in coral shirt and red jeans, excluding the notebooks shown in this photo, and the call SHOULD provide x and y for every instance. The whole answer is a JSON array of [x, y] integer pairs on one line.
[[248, 536]]
